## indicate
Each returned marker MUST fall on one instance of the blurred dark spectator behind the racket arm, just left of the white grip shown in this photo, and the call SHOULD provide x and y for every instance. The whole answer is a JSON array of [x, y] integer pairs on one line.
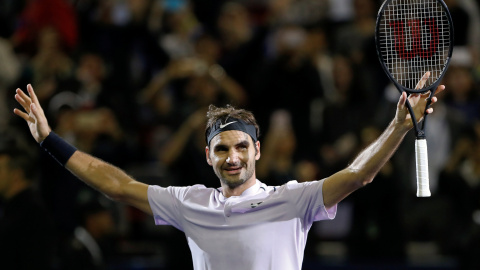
[[376, 233]]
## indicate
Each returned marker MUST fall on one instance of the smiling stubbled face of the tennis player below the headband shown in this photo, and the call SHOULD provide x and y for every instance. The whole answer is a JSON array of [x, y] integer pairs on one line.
[[232, 154]]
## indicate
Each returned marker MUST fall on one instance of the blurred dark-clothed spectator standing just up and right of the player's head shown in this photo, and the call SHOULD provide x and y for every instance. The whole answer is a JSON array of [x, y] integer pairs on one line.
[[291, 82]]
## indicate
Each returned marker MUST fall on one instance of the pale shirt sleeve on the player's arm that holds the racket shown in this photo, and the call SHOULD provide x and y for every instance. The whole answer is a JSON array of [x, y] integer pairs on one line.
[[308, 199]]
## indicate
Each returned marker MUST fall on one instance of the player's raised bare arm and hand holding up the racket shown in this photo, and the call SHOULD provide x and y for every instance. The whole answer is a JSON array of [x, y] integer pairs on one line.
[[369, 162]]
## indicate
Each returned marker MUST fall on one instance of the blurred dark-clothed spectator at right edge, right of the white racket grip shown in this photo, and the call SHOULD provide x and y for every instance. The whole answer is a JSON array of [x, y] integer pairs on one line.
[[460, 186]]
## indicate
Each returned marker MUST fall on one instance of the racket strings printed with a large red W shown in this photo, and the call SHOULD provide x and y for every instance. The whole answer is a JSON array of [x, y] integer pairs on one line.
[[414, 39]]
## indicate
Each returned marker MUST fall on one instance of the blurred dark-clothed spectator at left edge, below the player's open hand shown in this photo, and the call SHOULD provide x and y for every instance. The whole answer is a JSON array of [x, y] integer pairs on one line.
[[27, 234]]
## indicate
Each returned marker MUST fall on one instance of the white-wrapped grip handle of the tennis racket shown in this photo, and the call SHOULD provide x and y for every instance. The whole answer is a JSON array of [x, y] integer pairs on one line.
[[421, 158]]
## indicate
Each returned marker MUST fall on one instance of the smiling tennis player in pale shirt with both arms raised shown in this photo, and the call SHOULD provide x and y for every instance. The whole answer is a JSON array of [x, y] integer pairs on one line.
[[245, 224]]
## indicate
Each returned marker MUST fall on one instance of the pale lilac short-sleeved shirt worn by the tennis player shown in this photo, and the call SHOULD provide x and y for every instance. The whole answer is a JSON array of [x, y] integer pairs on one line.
[[264, 228]]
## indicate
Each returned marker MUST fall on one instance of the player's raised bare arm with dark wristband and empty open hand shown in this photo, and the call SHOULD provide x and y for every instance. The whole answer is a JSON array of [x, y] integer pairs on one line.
[[106, 178]]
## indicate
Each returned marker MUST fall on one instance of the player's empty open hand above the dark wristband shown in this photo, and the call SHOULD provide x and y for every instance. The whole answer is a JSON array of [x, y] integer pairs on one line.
[[33, 114]]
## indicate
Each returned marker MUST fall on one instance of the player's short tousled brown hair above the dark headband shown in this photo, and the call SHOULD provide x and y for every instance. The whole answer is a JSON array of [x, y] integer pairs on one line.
[[223, 113]]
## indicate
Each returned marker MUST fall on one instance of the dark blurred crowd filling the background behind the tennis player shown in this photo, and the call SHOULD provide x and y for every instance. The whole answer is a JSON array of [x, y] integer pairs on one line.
[[129, 81]]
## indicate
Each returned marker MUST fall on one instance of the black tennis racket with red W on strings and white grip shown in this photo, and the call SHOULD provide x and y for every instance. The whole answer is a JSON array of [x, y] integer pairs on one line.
[[414, 40]]
